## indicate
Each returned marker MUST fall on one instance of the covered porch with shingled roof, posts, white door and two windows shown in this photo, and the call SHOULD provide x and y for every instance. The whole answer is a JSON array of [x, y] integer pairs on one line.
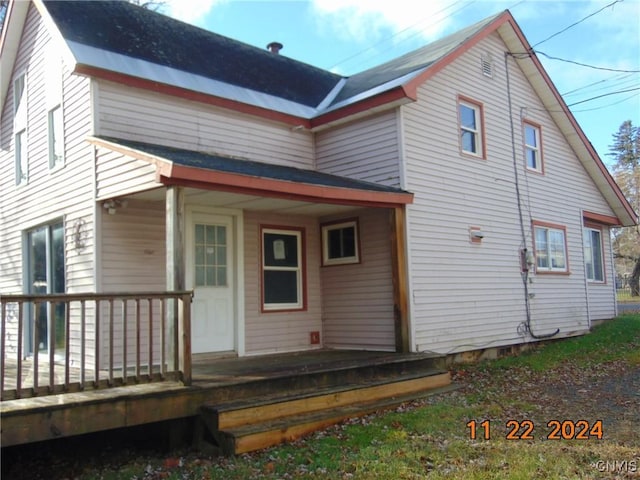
[[254, 243]]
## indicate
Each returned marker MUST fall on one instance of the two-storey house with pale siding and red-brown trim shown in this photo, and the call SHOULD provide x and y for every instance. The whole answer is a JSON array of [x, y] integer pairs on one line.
[[443, 202]]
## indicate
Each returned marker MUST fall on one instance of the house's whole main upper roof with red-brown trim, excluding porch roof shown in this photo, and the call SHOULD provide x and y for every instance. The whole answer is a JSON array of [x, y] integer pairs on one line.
[[122, 42]]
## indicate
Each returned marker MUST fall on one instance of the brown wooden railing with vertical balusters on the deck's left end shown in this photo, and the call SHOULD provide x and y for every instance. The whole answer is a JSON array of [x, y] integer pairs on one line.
[[60, 343]]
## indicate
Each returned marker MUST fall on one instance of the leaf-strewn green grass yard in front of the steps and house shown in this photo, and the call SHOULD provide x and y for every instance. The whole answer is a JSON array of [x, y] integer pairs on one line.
[[431, 439]]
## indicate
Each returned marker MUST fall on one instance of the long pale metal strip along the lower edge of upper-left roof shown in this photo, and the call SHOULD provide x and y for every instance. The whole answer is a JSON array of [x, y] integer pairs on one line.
[[95, 57]]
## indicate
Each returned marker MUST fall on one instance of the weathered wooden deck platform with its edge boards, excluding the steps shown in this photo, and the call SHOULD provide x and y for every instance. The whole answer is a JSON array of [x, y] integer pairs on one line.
[[217, 381]]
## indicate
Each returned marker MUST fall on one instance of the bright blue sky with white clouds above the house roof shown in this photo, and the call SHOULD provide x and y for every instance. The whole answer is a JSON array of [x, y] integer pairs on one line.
[[348, 36]]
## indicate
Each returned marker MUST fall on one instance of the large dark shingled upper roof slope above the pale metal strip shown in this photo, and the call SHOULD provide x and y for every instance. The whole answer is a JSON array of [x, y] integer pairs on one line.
[[124, 28]]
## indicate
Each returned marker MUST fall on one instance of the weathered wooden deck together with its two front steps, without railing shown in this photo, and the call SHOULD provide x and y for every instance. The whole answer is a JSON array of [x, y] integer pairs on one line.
[[237, 404]]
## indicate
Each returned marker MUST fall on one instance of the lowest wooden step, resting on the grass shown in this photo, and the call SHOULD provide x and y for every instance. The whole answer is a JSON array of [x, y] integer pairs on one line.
[[253, 437]]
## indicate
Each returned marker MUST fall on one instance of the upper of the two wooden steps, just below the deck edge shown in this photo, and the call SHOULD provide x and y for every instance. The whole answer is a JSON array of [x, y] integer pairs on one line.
[[268, 409]]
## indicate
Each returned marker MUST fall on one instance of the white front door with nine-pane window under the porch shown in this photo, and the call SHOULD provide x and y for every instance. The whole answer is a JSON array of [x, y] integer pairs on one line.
[[210, 273]]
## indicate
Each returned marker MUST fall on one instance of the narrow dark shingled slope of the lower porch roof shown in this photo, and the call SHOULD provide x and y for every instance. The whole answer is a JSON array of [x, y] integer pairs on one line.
[[190, 158]]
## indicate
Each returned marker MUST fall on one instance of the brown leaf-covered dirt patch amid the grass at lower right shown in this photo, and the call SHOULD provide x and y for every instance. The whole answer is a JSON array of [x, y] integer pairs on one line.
[[609, 392]]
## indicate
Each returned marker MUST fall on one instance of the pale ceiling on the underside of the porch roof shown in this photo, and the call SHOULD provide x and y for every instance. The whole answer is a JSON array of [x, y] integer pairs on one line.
[[231, 200]]
